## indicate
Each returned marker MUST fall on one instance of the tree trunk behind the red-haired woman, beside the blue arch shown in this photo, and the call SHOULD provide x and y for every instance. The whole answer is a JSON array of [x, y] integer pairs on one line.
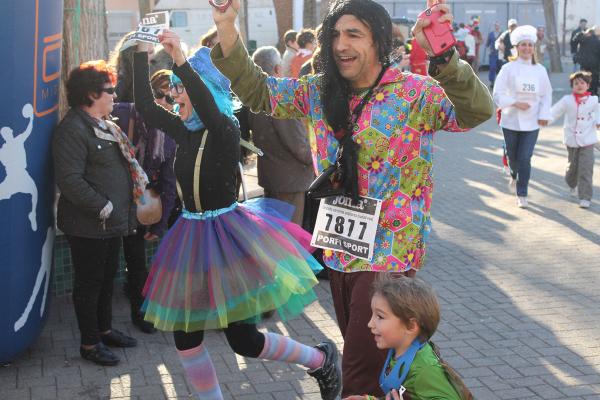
[[84, 38]]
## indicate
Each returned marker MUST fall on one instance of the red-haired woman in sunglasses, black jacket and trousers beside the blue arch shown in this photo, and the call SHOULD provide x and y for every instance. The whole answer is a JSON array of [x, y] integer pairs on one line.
[[99, 181]]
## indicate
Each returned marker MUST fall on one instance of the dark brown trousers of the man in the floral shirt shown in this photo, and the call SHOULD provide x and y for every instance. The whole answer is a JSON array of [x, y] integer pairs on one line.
[[362, 361]]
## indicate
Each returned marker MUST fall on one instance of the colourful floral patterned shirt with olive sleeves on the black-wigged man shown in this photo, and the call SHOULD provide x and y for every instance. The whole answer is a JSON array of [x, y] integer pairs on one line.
[[395, 133]]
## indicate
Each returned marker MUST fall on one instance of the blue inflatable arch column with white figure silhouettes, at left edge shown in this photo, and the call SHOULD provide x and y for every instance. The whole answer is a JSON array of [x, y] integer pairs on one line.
[[31, 31]]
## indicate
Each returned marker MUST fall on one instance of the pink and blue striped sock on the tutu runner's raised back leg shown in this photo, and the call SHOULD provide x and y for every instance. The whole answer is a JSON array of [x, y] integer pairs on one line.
[[281, 348]]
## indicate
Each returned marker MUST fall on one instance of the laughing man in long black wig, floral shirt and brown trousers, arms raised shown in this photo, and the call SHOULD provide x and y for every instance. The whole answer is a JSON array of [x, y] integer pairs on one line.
[[383, 120]]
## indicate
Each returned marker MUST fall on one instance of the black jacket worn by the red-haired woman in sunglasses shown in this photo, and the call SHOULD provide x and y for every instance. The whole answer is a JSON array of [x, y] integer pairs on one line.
[[90, 171]]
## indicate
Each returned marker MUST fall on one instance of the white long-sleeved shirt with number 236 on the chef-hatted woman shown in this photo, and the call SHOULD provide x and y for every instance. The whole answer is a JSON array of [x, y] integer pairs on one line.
[[521, 81]]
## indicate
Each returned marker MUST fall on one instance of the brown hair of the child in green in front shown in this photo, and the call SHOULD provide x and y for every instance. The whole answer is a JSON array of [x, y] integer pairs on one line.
[[410, 298]]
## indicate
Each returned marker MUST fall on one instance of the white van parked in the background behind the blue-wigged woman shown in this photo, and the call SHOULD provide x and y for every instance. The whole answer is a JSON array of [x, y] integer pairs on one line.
[[192, 18]]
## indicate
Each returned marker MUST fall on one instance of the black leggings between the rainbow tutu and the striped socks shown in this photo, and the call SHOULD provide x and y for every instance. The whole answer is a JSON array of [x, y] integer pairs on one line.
[[243, 338]]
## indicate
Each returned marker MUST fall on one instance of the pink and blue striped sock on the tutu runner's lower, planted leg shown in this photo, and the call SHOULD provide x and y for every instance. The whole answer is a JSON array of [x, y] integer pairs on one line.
[[201, 372]]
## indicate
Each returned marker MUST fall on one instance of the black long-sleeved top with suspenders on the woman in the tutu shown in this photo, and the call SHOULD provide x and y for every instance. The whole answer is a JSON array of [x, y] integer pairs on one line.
[[213, 182]]
